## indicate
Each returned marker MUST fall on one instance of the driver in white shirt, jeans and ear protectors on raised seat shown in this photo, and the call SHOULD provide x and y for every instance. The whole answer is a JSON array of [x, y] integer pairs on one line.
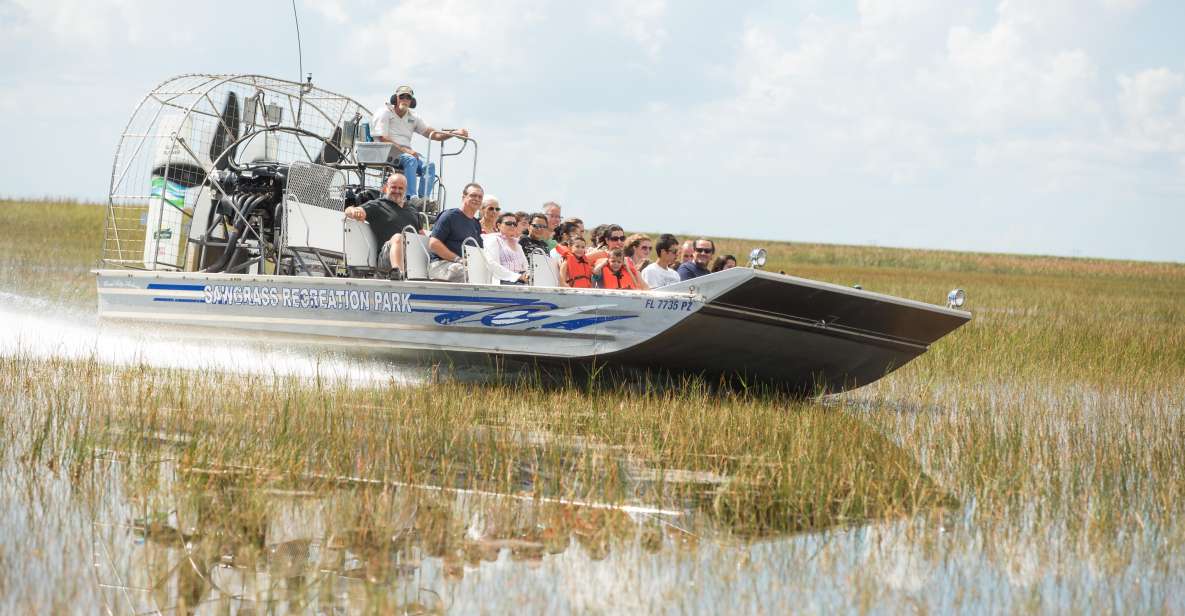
[[395, 124]]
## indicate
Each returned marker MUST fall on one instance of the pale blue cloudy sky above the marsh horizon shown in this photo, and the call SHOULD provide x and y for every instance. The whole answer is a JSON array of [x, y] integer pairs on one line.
[[1039, 127]]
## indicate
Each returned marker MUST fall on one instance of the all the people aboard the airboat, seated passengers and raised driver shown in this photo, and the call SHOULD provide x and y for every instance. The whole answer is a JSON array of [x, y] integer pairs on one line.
[[606, 259]]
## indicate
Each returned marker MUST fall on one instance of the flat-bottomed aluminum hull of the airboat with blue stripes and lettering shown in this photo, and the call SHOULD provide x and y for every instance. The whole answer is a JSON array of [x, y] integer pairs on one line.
[[741, 325]]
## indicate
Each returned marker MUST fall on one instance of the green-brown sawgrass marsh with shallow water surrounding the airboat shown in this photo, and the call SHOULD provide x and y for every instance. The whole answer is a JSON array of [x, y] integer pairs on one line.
[[1029, 463]]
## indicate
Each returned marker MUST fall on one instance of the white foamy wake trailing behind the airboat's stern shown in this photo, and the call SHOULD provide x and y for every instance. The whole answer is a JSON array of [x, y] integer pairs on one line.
[[41, 330]]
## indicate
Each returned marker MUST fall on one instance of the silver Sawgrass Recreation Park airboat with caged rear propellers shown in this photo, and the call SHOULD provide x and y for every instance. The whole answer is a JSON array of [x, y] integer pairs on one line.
[[226, 213]]
